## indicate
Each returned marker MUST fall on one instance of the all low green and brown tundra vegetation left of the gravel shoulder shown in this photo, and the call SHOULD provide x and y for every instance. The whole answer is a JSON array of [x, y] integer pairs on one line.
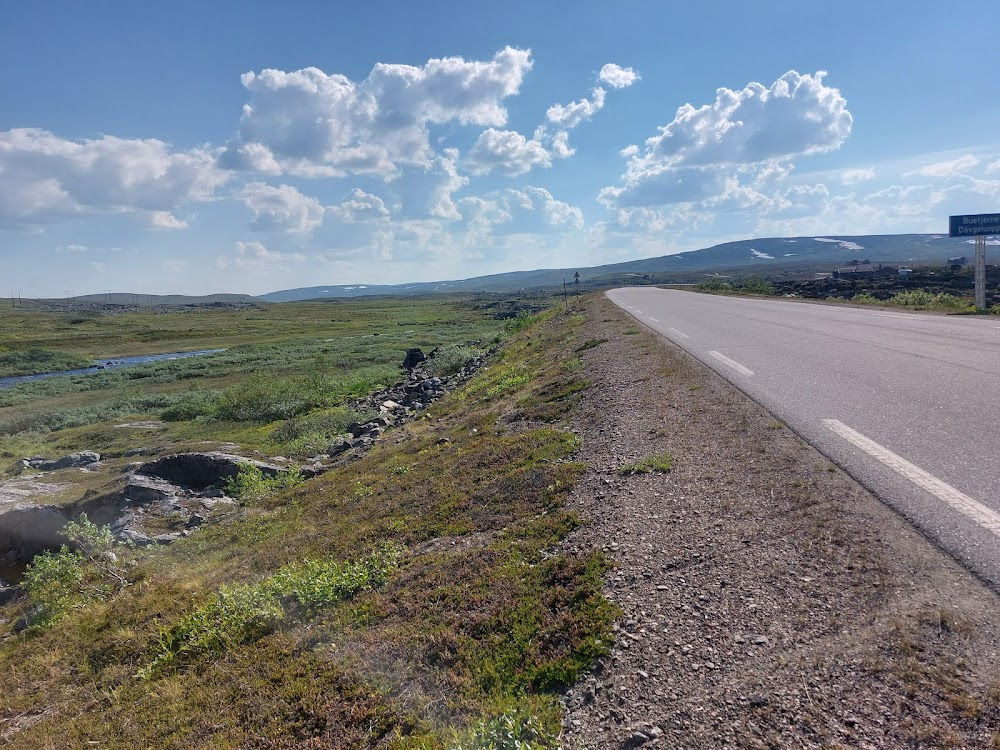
[[415, 597]]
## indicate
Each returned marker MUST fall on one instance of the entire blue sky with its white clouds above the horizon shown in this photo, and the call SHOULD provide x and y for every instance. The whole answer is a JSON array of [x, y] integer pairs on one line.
[[248, 147]]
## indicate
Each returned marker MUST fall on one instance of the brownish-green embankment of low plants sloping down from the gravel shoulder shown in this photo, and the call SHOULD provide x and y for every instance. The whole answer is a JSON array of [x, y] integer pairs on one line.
[[485, 616]]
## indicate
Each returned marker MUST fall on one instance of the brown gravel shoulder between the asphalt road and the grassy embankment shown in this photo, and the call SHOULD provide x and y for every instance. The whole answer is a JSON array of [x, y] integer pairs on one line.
[[768, 600]]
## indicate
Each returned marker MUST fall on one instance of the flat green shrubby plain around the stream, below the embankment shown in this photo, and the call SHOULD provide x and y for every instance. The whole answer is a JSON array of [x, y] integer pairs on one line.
[[331, 349]]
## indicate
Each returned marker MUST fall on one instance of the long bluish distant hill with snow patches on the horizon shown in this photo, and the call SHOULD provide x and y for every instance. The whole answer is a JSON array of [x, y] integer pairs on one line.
[[767, 255]]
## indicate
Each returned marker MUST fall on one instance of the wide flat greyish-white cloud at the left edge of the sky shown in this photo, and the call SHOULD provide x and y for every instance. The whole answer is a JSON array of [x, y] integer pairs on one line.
[[44, 178]]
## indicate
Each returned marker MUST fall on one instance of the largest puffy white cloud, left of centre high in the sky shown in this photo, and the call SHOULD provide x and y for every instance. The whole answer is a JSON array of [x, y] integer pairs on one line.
[[309, 123]]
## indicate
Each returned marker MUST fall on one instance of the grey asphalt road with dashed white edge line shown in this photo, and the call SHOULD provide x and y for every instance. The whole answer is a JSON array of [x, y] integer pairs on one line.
[[907, 403]]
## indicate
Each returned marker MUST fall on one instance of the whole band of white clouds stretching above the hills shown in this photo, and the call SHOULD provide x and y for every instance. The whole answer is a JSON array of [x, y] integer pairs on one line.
[[414, 163]]
